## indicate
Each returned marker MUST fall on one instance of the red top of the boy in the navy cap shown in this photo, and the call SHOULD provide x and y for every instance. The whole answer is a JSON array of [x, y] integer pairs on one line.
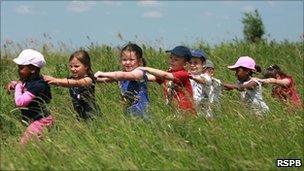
[[179, 90]]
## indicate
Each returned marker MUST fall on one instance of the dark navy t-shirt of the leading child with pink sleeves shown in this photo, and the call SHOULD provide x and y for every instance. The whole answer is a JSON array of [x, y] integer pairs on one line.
[[37, 109]]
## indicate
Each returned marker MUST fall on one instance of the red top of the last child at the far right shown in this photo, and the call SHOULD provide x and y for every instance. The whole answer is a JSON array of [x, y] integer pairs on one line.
[[287, 93]]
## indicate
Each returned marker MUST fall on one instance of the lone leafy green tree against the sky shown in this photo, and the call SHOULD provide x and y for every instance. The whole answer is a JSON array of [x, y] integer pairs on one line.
[[253, 26]]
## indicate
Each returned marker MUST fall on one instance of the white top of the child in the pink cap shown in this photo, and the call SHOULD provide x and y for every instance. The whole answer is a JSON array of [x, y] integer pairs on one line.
[[254, 98]]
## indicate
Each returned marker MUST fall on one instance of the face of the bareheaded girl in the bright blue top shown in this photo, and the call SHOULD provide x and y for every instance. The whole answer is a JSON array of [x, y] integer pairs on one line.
[[129, 61]]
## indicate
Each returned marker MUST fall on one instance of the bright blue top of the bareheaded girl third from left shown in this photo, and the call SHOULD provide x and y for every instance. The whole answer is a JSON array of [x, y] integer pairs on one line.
[[135, 94]]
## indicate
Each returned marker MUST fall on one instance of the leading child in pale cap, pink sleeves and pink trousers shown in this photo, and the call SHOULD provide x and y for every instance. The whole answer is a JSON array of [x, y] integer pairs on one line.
[[31, 94]]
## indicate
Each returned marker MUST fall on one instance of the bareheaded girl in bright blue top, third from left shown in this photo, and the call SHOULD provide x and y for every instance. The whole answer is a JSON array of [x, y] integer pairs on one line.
[[132, 80]]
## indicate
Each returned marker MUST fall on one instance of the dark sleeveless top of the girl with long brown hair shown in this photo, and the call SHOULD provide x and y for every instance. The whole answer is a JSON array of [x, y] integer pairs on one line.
[[83, 99]]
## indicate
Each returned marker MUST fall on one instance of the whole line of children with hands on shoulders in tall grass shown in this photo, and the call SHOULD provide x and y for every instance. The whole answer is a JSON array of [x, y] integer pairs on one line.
[[189, 85]]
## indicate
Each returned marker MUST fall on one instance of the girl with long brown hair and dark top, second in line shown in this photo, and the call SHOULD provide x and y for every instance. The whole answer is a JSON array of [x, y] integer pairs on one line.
[[81, 85]]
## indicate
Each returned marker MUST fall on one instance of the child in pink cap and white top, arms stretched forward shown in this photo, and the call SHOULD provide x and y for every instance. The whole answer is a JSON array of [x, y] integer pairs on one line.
[[251, 89]]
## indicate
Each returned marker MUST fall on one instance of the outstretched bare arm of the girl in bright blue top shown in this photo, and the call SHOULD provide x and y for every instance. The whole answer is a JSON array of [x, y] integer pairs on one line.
[[120, 75]]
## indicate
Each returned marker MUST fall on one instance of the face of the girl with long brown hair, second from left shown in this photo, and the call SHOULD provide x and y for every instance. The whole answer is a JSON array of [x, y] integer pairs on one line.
[[77, 68]]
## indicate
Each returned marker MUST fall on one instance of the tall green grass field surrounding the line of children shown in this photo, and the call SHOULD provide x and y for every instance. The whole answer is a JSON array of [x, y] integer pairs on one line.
[[235, 139]]
